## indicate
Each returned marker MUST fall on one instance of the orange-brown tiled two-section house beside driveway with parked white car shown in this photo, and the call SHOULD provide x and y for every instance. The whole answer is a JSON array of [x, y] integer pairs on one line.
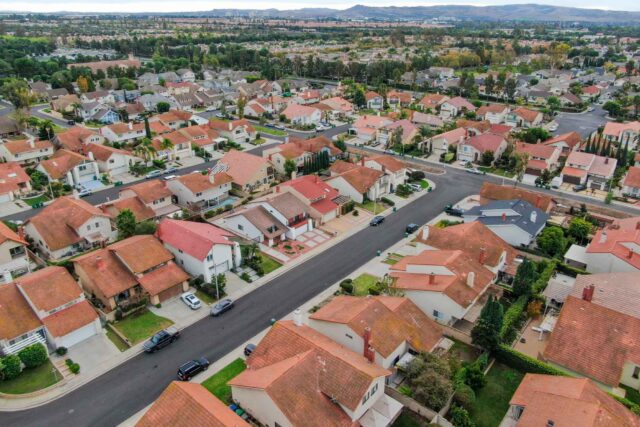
[[129, 270]]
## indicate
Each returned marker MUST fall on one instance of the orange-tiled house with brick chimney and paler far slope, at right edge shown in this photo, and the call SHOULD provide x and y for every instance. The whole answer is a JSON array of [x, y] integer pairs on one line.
[[593, 336]]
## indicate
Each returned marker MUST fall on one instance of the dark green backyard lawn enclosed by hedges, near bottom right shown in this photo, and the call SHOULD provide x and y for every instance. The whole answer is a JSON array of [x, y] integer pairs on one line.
[[492, 401]]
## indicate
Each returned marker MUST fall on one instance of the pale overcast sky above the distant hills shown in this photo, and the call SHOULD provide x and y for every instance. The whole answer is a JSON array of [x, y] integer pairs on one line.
[[198, 5]]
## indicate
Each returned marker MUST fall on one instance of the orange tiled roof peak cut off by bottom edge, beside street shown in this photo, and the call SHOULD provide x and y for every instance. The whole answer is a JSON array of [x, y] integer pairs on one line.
[[184, 404]]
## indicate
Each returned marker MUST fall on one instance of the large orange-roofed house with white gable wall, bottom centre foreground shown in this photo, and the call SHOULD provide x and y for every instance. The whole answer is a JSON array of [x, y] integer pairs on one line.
[[330, 384]]
